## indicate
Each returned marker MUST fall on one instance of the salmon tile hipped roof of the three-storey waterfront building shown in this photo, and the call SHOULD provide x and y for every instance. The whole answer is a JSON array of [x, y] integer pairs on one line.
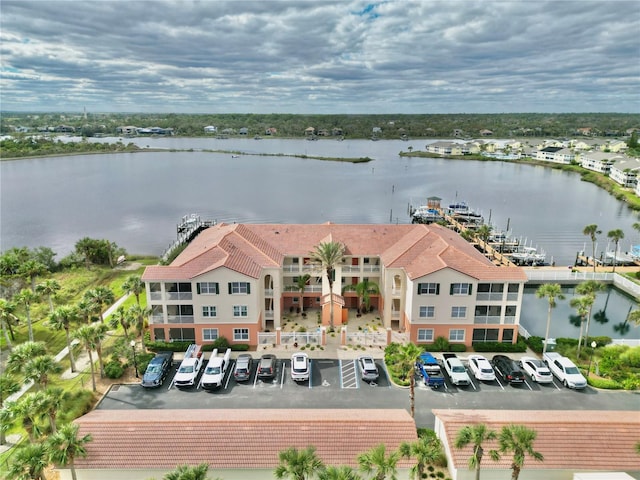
[[248, 248]]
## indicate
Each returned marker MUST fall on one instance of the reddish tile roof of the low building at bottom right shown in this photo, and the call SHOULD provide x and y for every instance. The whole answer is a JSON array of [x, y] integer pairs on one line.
[[576, 439]]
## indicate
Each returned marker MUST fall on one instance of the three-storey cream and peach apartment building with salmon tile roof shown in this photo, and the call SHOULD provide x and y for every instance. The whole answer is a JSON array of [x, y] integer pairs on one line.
[[236, 281]]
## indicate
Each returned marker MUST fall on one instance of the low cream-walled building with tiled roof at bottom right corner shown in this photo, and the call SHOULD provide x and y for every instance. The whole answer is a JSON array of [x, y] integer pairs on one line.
[[572, 442]]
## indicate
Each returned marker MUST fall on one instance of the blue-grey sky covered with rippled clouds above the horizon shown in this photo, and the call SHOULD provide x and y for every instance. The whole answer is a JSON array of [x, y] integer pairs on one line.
[[269, 56]]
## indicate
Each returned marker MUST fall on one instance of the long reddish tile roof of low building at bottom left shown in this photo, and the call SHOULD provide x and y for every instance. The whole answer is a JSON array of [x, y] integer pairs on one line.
[[237, 438]]
